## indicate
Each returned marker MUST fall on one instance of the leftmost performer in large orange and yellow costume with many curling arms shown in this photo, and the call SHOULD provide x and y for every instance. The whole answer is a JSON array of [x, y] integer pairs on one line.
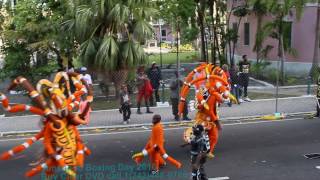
[[54, 102]]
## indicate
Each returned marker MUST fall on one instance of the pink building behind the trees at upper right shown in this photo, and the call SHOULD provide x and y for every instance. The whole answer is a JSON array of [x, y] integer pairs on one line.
[[301, 32]]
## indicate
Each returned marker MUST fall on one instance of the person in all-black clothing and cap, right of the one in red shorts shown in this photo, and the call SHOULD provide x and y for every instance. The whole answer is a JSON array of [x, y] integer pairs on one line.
[[154, 74]]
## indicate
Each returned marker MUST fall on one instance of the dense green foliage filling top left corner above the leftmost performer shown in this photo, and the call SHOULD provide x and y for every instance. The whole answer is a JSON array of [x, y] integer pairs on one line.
[[31, 35]]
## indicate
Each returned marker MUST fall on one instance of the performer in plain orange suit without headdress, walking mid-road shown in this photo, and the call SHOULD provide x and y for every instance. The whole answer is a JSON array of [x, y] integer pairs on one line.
[[155, 148]]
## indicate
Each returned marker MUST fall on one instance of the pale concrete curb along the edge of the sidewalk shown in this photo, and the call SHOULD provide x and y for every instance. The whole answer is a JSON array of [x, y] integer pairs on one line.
[[148, 125]]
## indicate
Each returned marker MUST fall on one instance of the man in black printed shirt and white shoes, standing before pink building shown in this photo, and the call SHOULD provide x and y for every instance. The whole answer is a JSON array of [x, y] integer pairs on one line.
[[244, 67]]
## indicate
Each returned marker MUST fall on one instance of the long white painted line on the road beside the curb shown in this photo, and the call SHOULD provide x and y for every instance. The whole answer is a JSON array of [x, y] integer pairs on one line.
[[169, 129]]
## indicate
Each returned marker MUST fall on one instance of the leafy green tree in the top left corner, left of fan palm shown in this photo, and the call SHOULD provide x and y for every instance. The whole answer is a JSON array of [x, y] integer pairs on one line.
[[30, 29]]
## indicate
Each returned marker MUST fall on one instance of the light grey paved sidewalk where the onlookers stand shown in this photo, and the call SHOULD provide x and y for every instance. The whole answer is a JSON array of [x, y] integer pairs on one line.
[[113, 117]]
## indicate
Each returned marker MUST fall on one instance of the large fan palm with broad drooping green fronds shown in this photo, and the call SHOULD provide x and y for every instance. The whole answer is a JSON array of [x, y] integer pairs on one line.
[[110, 34]]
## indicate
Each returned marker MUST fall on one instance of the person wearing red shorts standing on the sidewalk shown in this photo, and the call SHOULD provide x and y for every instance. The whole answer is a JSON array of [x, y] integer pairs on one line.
[[144, 89]]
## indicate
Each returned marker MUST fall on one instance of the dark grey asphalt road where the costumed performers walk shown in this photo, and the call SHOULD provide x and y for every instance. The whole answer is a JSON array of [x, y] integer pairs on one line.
[[270, 150]]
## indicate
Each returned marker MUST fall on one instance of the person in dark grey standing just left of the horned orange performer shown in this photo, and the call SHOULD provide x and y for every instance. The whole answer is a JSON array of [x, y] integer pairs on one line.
[[175, 86]]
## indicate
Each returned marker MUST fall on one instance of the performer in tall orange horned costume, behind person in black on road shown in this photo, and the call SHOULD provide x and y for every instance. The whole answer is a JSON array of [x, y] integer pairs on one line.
[[214, 91]]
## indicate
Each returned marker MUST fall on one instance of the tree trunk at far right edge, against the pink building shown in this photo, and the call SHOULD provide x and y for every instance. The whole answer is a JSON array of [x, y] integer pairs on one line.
[[316, 61]]
